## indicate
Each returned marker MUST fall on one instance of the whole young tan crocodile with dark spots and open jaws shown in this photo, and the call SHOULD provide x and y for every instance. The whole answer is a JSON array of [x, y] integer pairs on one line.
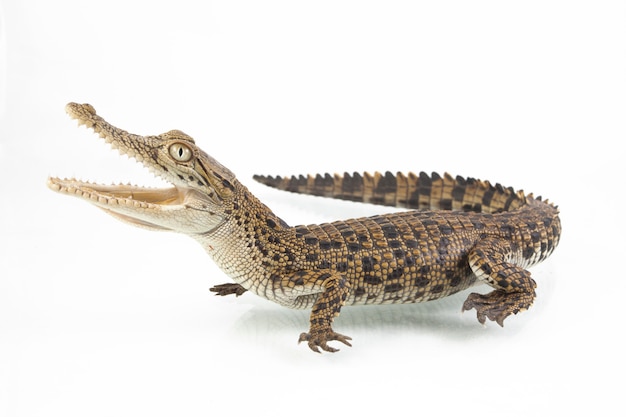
[[455, 233]]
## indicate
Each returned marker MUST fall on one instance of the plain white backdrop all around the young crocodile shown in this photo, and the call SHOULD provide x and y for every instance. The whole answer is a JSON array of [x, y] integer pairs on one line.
[[98, 318]]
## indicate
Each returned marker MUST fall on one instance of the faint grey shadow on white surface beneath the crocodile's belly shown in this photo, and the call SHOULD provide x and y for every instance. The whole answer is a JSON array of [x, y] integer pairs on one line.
[[269, 324]]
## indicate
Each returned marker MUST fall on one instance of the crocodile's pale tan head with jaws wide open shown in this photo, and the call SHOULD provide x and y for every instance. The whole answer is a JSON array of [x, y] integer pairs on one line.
[[200, 186]]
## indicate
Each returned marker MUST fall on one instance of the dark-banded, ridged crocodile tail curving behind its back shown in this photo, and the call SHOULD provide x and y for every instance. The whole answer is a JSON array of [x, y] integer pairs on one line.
[[412, 191]]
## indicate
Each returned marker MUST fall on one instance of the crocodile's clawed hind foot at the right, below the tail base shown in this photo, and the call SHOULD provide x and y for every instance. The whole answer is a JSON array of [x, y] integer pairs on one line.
[[497, 305]]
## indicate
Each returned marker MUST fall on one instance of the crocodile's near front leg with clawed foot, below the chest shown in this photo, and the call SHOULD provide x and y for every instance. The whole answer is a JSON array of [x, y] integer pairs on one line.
[[334, 292]]
